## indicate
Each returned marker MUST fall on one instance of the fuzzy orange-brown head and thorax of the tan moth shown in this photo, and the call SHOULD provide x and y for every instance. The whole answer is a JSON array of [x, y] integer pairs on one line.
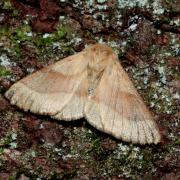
[[100, 56]]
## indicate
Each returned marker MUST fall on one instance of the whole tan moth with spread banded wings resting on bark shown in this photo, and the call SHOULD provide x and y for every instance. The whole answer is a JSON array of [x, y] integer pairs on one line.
[[90, 84]]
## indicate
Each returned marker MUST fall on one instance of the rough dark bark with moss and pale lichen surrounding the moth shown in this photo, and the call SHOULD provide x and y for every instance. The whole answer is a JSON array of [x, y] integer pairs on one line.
[[144, 34]]
